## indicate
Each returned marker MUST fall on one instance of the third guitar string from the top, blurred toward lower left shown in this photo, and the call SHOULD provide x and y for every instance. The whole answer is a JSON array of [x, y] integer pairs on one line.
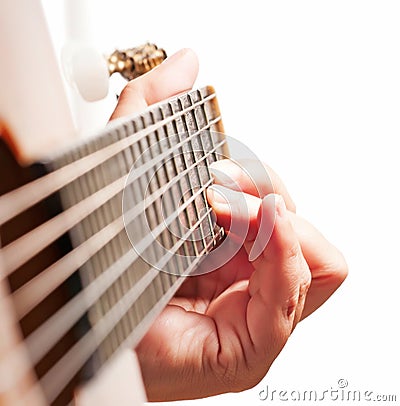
[[31, 293]]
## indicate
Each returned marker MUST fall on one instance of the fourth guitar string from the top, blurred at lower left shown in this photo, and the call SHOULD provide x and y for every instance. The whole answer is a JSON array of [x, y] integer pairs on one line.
[[42, 334]]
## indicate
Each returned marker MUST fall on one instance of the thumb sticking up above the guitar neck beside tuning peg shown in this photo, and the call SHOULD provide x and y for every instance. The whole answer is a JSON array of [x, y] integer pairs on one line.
[[175, 75]]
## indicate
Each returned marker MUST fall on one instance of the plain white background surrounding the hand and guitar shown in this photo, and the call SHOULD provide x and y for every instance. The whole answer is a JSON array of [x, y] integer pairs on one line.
[[313, 87]]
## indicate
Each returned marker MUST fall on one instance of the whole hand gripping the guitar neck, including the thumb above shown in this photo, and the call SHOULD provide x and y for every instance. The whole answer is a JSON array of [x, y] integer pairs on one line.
[[223, 329]]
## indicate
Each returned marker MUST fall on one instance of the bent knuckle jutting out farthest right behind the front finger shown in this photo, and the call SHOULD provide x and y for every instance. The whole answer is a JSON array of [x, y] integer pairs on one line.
[[327, 264]]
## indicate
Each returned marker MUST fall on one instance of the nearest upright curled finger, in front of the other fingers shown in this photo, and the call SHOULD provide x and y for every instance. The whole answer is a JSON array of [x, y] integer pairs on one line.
[[279, 284]]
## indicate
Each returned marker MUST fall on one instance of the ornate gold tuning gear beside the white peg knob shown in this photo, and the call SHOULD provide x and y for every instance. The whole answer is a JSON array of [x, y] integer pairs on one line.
[[133, 62]]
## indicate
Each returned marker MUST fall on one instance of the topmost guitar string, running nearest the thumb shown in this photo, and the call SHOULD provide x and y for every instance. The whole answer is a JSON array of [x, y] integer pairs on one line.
[[15, 202]]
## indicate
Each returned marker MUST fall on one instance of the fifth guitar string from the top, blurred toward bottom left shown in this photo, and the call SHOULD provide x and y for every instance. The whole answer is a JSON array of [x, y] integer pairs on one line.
[[54, 380]]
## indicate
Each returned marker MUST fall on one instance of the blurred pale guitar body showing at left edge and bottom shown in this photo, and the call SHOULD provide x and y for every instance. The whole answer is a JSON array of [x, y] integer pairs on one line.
[[29, 76]]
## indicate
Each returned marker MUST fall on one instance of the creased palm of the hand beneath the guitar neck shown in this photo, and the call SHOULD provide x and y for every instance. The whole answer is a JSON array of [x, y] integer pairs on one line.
[[203, 330]]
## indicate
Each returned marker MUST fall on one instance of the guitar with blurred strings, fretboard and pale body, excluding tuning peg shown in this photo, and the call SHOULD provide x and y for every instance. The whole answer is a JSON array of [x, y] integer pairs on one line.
[[96, 235]]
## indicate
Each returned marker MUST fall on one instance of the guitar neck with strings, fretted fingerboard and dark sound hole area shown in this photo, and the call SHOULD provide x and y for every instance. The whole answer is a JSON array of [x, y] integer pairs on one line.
[[103, 234]]
